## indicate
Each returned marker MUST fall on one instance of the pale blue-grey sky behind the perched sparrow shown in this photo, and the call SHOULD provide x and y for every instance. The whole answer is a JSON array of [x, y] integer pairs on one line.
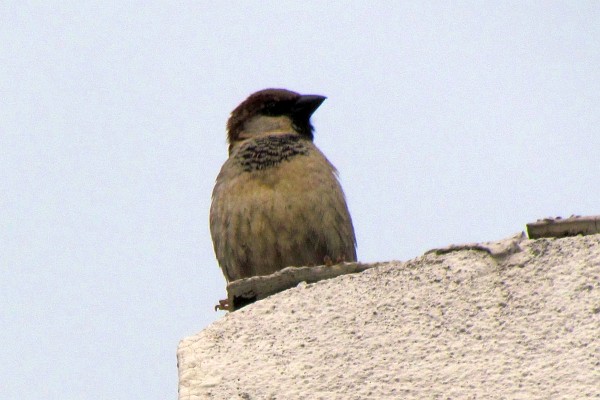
[[449, 122]]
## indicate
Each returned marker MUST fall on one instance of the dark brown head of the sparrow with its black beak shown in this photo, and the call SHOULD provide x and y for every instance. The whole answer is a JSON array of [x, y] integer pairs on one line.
[[271, 112]]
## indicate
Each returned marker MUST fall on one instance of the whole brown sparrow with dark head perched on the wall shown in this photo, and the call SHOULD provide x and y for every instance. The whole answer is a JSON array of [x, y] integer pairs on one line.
[[277, 200]]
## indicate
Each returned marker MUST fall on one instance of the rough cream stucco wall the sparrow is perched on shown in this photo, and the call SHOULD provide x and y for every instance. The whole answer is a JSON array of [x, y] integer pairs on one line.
[[464, 324]]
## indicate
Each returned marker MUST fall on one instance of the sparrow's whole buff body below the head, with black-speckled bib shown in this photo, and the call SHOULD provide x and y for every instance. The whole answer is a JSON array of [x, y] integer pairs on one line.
[[276, 206]]
